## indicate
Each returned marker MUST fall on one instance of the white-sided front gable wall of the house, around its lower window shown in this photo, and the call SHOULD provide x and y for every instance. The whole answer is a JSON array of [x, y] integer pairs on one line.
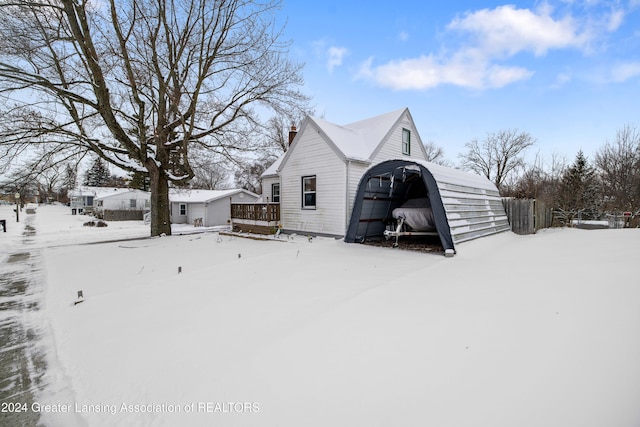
[[313, 156]]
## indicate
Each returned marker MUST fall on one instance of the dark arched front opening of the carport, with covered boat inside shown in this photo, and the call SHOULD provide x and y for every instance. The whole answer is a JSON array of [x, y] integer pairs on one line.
[[396, 211]]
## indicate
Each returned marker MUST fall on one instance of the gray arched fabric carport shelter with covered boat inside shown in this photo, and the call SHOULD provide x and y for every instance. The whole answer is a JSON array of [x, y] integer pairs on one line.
[[420, 197]]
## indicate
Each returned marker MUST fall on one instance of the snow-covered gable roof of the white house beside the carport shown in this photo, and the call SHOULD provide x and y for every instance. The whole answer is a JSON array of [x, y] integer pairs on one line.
[[358, 141]]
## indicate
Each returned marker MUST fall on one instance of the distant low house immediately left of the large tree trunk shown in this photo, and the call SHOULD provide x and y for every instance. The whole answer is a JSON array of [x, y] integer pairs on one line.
[[122, 204]]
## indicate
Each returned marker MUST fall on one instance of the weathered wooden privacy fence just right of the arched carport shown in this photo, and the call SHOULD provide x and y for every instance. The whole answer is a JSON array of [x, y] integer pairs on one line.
[[526, 216]]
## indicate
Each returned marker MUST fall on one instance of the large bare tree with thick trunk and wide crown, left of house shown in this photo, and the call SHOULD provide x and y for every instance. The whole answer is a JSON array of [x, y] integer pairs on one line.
[[141, 82]]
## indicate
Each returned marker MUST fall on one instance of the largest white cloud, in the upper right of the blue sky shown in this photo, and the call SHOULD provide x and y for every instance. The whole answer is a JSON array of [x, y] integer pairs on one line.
[[490, 37]]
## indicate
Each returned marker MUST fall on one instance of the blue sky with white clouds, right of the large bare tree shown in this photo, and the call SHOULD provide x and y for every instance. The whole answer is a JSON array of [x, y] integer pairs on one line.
[[566, 72]]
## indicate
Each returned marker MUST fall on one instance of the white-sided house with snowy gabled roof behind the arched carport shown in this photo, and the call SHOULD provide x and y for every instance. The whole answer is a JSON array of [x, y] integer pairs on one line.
[[315, 181]]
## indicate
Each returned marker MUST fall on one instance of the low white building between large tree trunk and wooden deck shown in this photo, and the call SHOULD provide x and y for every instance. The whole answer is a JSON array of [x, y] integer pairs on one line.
[[206, 207]]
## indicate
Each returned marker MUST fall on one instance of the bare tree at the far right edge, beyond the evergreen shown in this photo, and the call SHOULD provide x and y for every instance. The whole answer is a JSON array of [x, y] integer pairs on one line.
[[618, 165]]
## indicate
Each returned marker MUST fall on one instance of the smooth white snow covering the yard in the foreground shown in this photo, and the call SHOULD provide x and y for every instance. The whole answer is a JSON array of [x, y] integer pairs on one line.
[[540, 330]]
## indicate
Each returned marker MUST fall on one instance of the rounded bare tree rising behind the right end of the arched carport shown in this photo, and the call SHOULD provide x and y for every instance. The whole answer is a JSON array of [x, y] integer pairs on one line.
[[497, 157]]
